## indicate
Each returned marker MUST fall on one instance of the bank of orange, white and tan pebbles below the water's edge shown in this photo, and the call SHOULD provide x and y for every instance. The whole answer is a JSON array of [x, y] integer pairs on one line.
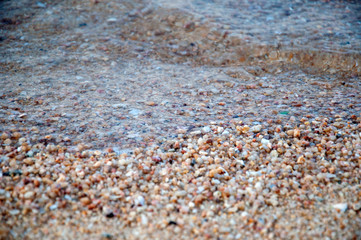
[[228, 170]]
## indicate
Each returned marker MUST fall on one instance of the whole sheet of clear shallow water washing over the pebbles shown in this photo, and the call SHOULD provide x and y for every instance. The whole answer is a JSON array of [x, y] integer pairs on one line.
[[133, 73]]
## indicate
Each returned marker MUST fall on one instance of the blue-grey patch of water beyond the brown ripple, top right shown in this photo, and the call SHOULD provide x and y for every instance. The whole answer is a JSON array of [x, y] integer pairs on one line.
[[323, 25]]
